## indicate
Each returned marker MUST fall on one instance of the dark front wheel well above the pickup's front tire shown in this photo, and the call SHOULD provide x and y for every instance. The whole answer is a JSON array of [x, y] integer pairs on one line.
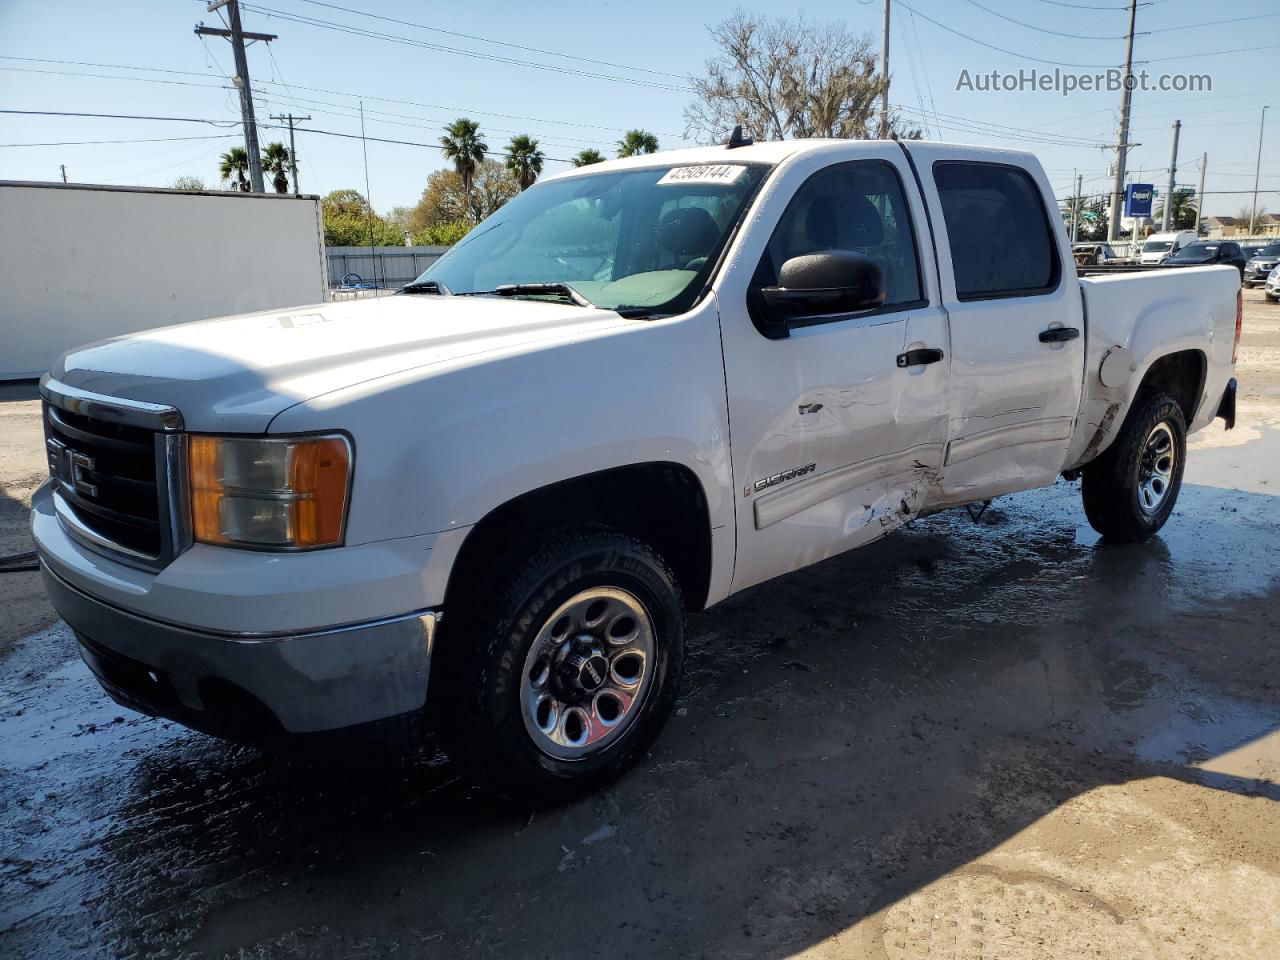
[[660, 504]]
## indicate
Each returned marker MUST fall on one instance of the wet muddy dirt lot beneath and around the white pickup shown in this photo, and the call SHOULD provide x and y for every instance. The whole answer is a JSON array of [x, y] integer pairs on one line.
[[991, 739]]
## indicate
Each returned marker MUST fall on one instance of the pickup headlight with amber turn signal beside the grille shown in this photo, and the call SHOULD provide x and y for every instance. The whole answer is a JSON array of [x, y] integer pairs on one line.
[[290, 493]]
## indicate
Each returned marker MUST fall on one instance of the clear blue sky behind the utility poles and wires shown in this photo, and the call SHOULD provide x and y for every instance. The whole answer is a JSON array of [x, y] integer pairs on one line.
[[652, 48]]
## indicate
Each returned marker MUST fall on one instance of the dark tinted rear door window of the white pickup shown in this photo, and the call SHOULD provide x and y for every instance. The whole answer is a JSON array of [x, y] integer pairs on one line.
[[998, 230]]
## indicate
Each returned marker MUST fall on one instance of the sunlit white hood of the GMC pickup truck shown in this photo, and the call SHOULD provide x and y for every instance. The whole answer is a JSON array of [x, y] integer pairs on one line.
[[236, 374]]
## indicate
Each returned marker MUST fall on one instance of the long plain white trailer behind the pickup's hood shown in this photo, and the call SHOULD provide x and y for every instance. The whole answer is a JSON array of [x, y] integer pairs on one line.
[[83, 263]]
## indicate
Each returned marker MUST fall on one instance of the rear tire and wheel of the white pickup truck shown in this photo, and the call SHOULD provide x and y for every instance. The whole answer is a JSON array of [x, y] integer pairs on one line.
[[1132, 488]]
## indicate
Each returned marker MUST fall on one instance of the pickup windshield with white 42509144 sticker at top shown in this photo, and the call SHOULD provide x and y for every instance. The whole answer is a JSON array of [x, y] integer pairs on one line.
[[642, 240]]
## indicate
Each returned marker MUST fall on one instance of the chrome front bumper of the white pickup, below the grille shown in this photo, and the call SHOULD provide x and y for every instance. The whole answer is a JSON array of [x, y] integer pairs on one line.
[[253, 688]]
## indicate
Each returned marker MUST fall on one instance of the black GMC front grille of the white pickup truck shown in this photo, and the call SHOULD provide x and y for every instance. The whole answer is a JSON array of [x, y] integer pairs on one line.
[[111, 477]]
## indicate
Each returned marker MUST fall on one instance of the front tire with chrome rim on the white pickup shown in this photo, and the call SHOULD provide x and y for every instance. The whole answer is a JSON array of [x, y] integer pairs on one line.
[[529, 688]]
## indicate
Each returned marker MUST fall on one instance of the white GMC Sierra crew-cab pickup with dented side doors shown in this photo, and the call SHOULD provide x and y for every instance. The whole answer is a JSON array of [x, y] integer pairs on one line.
[[637, 390]]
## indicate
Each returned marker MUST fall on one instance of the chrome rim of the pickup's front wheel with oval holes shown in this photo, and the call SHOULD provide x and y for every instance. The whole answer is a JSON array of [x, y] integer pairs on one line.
[[587, 673]]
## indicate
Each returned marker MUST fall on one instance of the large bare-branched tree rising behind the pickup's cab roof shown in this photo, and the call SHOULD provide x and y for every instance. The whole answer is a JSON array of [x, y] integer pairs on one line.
[[785, 79]]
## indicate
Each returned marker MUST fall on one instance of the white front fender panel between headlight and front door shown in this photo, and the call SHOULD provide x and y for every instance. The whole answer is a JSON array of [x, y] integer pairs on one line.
[[438, 452]]
